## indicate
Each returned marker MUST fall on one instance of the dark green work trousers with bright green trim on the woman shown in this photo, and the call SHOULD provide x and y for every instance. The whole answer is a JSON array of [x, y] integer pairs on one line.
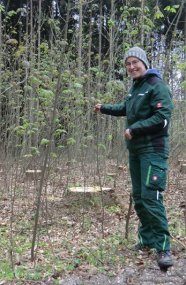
[[148, 174]]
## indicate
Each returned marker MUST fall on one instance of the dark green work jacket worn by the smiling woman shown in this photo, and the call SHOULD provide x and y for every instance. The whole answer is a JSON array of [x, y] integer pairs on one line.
[[148, 108]]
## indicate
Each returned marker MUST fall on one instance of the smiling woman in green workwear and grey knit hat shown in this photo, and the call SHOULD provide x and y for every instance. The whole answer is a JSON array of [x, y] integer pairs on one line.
[[148, 108]]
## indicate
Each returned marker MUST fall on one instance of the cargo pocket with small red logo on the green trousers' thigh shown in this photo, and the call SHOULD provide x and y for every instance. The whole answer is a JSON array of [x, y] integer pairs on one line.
[[157, 176]]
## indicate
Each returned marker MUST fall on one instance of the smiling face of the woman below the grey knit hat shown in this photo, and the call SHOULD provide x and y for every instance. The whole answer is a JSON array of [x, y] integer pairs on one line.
[[135, 67]]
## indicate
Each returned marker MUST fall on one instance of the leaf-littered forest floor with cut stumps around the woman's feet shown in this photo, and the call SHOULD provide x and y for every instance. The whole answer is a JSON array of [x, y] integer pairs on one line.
[[81, 236]]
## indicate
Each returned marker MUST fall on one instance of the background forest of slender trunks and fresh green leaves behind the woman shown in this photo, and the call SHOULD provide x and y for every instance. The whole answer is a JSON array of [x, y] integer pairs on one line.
[[60, 57]]
